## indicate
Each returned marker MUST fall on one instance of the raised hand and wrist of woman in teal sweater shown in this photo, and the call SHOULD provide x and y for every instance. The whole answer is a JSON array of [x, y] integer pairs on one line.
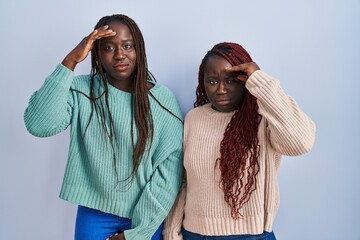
[[81, 51]]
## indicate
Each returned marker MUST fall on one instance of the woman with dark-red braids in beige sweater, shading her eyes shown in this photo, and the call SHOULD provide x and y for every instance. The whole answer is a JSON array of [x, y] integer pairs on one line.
[[234, 138]]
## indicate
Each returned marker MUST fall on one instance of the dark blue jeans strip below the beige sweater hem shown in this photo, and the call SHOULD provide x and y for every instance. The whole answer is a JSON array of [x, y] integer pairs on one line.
[[194, 236]]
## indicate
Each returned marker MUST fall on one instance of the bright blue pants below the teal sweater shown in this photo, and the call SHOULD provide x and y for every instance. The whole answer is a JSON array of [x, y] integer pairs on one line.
[[92, 224]]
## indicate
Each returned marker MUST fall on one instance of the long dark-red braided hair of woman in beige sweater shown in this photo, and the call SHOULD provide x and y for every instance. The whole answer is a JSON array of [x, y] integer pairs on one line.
[[239, 148]]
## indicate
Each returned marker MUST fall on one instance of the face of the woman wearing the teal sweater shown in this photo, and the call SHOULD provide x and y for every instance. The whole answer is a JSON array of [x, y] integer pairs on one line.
[[118, 56]]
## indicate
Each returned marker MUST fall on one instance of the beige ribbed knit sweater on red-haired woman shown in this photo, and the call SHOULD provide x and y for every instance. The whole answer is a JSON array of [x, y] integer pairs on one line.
[[200, 207]]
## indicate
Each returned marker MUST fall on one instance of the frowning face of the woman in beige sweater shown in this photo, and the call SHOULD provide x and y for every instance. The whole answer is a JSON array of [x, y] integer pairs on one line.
[[223, 89]]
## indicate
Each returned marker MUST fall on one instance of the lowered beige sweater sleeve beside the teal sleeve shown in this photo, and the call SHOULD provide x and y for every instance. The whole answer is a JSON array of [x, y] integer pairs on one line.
[[173, 222]]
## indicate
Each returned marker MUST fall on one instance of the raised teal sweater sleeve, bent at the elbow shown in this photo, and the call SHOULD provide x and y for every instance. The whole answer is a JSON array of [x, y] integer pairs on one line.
[[50, 108]]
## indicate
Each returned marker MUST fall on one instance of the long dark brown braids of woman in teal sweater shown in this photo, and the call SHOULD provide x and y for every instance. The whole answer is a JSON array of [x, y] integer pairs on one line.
[[141, 113]]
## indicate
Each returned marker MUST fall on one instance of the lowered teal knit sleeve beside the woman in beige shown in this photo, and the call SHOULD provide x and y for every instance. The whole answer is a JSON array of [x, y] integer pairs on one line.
[[160, 192]]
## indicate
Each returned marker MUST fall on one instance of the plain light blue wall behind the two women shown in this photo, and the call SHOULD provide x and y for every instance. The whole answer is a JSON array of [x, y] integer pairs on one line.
[[311, 46]]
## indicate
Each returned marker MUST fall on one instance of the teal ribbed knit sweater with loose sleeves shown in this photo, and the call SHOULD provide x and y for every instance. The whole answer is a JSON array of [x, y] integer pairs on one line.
[[90, 178]]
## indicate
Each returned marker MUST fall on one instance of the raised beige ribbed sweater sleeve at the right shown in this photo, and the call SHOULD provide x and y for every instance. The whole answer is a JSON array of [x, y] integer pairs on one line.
[[291, 132]]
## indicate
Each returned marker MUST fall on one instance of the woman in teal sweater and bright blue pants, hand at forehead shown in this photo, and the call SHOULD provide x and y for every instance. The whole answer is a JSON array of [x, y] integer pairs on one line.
[[125, 156]]
